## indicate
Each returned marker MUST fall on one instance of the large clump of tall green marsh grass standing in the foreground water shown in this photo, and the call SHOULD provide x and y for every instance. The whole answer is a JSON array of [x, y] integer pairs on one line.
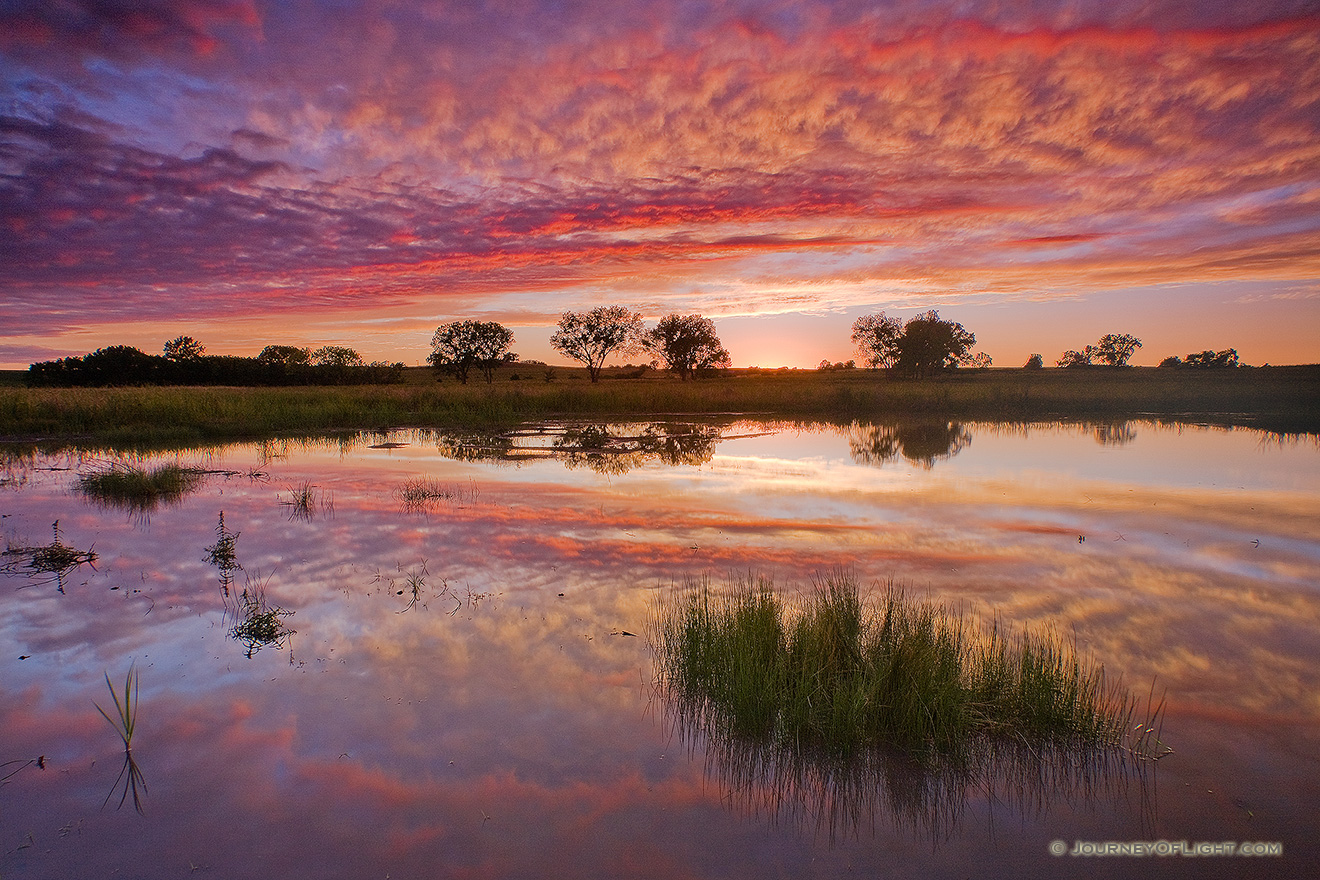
[[839, 675]]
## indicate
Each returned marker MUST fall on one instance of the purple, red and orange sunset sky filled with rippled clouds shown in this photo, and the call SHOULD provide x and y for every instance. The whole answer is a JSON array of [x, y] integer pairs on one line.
[[339, 172]]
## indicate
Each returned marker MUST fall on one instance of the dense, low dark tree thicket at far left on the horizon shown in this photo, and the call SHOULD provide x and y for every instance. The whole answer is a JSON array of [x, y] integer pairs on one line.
[[129, 366]]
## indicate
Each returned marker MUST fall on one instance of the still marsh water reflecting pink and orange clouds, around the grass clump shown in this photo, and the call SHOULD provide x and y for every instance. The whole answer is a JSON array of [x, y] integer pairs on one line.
[[455, 677]]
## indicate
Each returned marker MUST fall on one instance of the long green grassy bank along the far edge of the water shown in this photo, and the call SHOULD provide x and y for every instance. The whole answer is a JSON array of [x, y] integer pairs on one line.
[[1284, 399]]
